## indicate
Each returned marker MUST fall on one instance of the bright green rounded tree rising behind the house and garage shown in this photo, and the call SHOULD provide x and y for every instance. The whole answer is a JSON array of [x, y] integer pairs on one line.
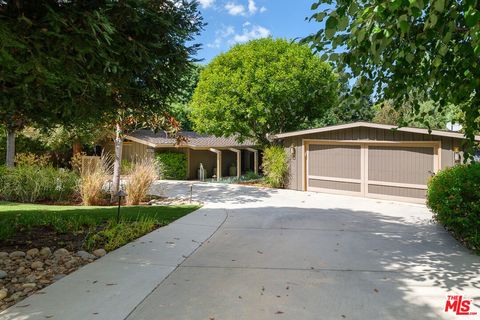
[[262, 87]]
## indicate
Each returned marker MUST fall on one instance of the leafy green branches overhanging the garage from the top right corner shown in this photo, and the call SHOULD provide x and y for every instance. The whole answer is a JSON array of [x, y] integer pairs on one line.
[[394, 47]]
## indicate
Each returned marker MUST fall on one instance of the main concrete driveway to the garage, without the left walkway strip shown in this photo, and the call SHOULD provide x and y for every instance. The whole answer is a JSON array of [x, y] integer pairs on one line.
[[292, 255]]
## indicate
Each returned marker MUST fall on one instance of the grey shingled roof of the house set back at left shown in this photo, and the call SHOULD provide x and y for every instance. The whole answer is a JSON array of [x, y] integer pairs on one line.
[[193, 140]]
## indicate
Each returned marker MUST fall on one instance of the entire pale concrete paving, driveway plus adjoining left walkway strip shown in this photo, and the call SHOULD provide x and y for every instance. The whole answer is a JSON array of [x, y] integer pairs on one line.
[[274, 254]]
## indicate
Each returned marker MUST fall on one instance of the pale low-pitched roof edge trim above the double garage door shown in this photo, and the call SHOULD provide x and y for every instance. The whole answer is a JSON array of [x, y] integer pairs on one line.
[[441, 133]]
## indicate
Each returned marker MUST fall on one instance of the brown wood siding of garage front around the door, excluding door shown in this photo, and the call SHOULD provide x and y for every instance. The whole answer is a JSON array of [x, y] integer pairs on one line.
[[362, 134]]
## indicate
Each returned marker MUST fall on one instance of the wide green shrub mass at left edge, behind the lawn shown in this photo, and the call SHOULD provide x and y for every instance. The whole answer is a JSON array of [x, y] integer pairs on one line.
[[31, 183]]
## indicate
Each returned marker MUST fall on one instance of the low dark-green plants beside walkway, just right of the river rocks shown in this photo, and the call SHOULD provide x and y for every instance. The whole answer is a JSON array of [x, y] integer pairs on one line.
[[116, 235]]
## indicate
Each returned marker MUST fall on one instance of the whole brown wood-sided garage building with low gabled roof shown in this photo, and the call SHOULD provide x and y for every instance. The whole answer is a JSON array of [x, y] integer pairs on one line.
[[369, 160]]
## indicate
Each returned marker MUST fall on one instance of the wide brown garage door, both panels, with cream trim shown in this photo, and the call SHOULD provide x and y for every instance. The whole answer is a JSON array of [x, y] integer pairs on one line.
[[381, 171]]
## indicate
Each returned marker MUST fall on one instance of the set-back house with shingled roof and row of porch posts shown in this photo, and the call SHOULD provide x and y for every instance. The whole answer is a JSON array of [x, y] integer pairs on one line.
[[210, 151]]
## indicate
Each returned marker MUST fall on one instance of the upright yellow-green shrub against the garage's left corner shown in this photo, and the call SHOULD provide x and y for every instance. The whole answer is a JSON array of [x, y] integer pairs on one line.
[[275, 166]]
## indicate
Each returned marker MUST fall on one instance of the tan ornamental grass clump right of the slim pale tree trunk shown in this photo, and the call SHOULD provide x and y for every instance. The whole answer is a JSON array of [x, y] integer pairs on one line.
[[142, 175]]
